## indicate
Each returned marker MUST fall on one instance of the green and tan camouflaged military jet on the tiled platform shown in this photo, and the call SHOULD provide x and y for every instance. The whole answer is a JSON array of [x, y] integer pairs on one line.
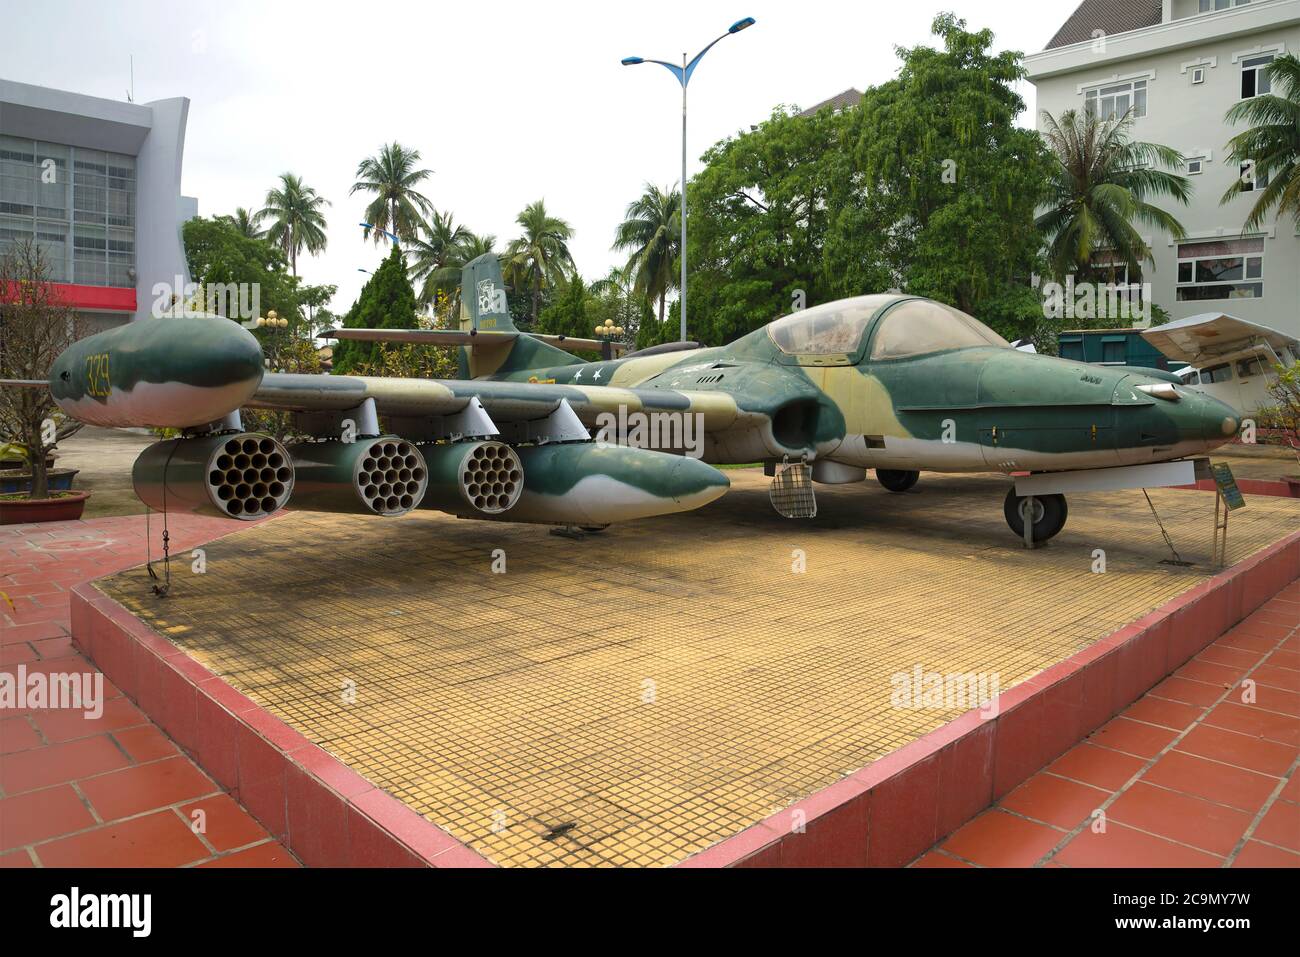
[[530, 432]]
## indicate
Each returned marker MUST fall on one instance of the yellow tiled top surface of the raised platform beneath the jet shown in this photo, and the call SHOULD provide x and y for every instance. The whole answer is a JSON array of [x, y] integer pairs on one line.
[[644, 694]]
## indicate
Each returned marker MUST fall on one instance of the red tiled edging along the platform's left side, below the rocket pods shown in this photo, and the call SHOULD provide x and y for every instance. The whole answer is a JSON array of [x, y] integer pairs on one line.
[[327, 813]]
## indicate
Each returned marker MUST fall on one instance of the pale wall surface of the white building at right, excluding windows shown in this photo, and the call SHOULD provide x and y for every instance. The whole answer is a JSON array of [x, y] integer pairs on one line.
[[1190, 119]]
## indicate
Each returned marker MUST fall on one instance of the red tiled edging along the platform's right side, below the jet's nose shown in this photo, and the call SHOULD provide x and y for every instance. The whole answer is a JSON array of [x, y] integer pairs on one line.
[[898, 808]]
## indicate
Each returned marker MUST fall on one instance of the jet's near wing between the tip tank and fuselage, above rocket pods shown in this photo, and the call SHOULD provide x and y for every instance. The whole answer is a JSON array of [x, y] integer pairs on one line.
[[505, 402]]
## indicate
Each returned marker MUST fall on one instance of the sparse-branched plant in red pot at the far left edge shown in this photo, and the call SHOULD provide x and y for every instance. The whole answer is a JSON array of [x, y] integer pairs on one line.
[[36, 327]]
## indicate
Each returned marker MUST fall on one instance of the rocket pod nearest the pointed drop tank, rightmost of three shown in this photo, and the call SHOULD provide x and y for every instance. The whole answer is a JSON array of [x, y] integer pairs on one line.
[[475, 480]]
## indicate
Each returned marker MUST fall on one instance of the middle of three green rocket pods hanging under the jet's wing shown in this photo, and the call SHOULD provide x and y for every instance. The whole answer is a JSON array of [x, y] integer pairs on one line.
[[371, 477]]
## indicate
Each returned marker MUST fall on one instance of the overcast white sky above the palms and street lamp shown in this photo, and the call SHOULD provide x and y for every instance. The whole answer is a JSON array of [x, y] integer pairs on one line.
[[508, 102]]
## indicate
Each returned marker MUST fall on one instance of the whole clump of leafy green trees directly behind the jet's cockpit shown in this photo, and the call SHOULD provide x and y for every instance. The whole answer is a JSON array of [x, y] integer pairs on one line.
[[926, 187]]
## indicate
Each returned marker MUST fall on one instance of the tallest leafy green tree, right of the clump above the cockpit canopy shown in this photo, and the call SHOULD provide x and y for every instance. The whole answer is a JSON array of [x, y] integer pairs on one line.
[[952, 181]]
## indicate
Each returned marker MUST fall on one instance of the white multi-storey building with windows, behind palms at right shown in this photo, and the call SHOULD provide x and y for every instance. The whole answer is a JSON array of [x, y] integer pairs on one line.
[[1181, 66]]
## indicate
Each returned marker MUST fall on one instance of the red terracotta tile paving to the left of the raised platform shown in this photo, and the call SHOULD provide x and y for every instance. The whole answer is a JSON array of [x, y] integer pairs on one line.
[[109, 791]]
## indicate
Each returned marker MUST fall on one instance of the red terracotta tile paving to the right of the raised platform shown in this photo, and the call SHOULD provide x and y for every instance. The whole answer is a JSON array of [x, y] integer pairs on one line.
[[1189, 777]]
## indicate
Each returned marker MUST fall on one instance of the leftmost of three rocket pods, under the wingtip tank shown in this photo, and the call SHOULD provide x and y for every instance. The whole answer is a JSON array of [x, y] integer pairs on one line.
[[241, 477]]
